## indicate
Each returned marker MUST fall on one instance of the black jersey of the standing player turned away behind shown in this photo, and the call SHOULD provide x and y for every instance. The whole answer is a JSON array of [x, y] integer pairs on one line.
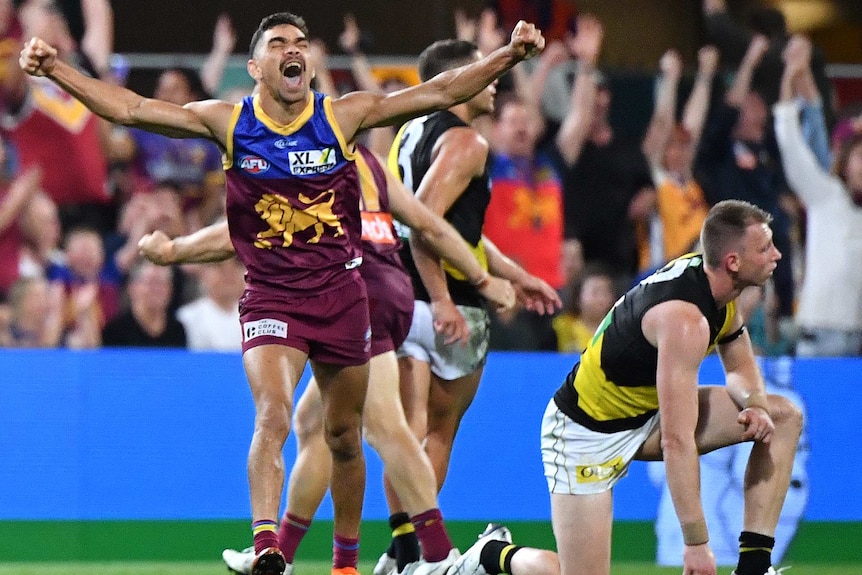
[[411, 156]]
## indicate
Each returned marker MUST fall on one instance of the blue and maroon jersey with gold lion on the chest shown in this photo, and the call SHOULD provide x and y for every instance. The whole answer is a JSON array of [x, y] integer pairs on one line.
[[293, 197]]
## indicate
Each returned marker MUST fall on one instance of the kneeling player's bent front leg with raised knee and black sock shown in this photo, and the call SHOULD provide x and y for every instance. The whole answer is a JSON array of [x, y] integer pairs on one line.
[[767, 475]]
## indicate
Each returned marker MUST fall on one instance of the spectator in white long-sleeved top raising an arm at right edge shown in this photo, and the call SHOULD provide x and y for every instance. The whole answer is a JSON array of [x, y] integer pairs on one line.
[[830, 302]]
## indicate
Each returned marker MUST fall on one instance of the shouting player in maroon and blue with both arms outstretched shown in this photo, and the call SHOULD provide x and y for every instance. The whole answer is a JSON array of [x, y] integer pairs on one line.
[[293, 216]]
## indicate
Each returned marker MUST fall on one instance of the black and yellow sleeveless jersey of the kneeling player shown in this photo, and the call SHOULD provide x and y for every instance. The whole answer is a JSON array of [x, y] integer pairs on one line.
[[613, 386]]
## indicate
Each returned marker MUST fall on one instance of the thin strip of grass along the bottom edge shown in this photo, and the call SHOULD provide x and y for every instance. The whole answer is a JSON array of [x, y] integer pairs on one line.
[[322, 568]]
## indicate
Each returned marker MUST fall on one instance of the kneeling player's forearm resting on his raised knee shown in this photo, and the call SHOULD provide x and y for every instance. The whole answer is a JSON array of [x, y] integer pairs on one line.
[[746, 386]]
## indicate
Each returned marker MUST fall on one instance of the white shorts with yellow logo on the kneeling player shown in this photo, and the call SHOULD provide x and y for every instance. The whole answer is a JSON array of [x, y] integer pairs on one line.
[[580, 461]]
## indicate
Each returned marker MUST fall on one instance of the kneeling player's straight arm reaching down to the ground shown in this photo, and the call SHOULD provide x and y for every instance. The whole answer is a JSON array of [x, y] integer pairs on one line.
[[680, 333]]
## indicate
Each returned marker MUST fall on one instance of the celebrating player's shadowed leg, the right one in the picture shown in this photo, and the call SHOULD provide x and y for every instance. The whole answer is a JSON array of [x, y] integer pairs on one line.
[[342, 390]]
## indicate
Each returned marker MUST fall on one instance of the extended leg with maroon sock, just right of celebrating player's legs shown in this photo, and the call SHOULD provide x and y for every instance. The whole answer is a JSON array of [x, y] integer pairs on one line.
[[406, 464]]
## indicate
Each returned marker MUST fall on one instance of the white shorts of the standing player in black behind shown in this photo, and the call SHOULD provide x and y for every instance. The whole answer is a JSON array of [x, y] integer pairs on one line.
[[447, 361]]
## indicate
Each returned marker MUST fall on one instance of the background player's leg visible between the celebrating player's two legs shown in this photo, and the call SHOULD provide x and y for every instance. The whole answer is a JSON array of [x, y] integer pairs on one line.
[[309, 477]]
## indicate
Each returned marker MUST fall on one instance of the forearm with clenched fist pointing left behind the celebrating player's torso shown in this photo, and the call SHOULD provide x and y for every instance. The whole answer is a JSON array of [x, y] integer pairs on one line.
[[209, 244]]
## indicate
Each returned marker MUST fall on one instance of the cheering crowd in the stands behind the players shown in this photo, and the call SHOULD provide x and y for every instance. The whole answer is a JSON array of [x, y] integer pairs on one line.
[[576, 201]]
